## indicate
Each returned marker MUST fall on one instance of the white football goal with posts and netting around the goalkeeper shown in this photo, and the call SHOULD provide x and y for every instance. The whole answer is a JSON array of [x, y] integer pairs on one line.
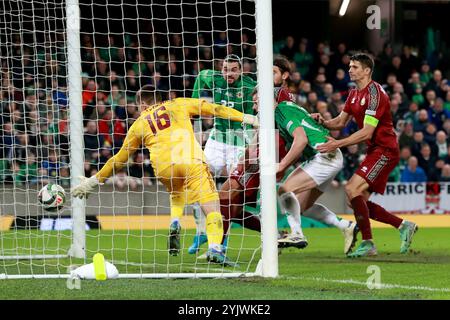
[[54, 58]]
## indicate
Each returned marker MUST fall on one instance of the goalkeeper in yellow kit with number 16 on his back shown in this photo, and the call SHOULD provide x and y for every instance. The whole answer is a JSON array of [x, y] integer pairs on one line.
[[177, 159]]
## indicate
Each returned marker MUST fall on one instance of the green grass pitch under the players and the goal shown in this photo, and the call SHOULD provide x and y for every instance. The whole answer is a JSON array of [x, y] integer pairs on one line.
[[320, 271]]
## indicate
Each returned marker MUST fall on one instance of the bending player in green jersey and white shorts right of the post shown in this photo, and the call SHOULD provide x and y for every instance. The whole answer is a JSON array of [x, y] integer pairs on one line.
[[308, 181]]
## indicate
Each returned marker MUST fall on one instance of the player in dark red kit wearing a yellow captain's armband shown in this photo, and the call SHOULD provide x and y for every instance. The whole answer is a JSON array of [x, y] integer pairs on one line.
[[369, 105]]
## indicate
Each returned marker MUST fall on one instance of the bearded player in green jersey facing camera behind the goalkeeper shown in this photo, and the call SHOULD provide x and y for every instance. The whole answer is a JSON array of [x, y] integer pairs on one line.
[[226, 142]]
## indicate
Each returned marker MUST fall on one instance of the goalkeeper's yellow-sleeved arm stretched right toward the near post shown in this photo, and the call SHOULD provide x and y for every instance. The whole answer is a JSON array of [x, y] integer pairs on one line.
[[204, 108]]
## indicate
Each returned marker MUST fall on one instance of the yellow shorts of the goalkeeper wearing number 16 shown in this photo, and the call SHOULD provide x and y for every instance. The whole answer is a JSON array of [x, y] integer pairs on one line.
[[189, 183]]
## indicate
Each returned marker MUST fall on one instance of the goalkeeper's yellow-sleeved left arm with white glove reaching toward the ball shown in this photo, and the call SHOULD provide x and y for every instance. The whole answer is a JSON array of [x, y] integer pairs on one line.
[[130, 145]]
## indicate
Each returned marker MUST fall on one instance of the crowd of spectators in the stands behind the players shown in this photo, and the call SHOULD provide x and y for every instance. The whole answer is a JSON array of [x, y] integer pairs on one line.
[[34, 129]]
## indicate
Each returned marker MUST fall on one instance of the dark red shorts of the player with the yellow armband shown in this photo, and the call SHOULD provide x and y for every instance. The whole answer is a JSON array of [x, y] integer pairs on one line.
[[377, 166]]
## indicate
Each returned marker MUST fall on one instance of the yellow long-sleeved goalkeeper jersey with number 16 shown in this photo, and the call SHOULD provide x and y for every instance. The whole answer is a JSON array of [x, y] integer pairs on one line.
[[166, 131]]
